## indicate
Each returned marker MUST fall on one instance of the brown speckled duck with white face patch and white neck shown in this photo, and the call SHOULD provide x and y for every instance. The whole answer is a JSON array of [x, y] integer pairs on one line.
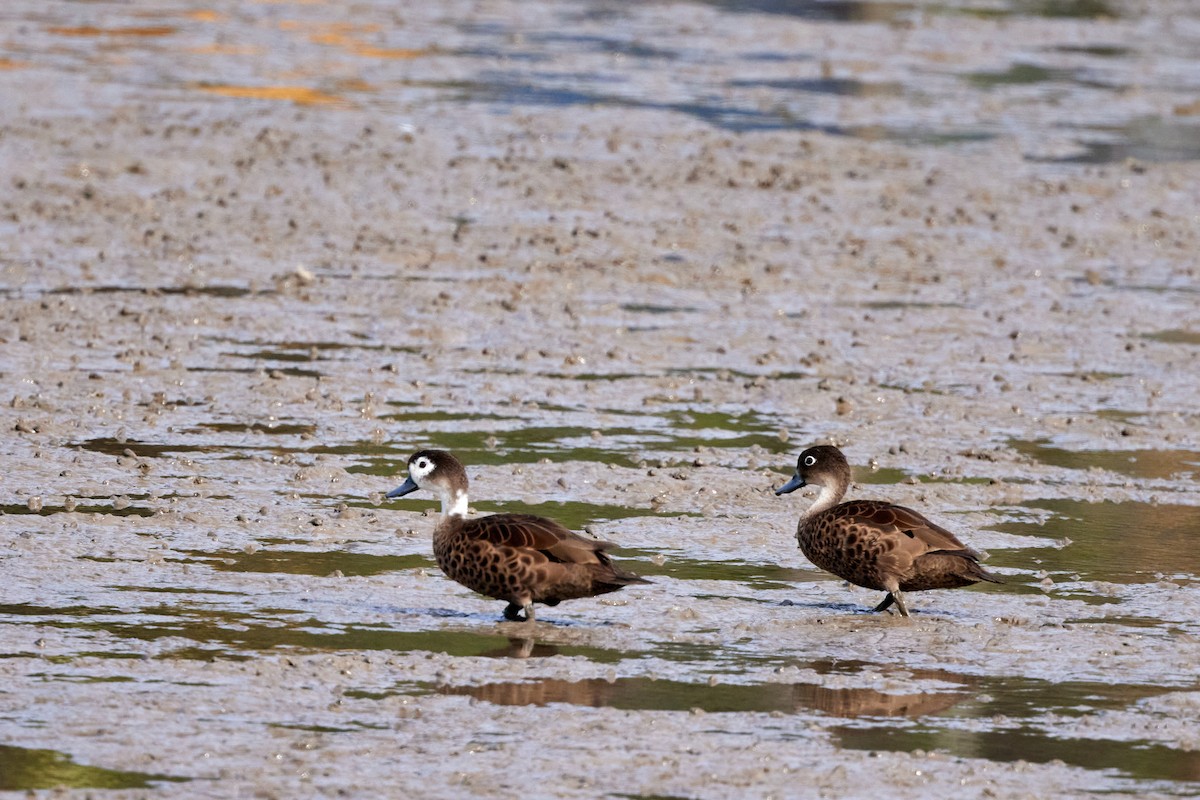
[[514, 557]]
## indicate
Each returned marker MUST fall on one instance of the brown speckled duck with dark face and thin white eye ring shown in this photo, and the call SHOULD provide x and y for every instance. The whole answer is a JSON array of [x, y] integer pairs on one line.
[[874, 544]]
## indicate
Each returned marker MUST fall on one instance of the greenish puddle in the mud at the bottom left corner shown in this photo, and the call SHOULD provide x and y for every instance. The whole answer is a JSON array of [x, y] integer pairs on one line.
[[28, 771]]
